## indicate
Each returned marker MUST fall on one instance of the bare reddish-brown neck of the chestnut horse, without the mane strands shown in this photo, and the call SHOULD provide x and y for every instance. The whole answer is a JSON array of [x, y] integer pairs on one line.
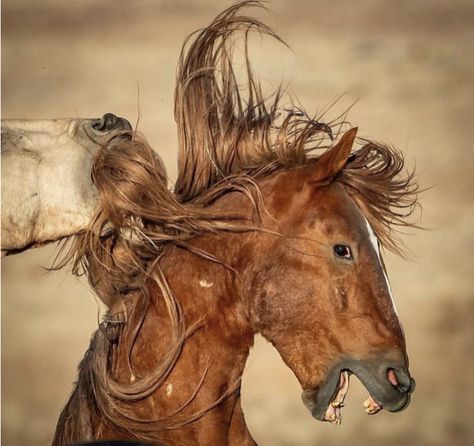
[[211, 361]]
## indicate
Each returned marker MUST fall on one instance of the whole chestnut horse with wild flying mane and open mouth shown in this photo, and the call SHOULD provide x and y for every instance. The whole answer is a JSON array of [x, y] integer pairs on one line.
[[272, 229]]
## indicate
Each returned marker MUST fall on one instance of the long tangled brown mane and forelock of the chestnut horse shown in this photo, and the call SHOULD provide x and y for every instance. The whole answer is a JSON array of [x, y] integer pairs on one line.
[[229, 138]]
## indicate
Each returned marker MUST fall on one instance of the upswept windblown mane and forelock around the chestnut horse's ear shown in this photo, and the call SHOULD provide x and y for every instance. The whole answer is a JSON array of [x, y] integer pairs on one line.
[[226, 134]]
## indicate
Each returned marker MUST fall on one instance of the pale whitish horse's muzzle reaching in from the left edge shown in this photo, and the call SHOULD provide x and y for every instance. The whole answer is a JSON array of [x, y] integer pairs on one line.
[[47, 192]]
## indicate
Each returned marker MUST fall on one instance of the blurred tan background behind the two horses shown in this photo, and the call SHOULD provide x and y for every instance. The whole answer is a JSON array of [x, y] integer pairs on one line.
[[410, 64]]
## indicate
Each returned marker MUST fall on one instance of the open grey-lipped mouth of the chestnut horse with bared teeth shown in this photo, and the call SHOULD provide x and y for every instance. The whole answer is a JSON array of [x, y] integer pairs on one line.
[[326, 401]]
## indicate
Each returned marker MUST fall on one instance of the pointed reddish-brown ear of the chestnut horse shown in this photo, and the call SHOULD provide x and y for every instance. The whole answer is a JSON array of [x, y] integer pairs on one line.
[[330, 163]]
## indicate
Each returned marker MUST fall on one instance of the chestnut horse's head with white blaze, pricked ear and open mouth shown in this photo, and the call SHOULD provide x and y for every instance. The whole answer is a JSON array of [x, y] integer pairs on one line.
[[320, 294]]
